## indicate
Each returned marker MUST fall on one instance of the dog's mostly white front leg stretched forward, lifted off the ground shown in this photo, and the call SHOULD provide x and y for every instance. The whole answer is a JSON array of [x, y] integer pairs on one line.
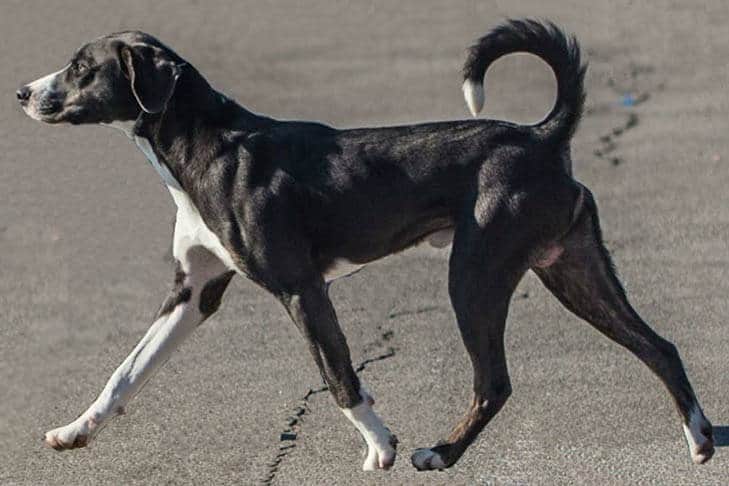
[[200, 281]]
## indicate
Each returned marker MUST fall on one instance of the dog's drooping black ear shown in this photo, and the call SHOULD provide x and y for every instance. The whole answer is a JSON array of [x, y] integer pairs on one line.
[[152, 75]]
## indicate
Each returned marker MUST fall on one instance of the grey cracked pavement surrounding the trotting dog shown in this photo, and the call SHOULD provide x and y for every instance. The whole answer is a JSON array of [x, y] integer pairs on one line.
[[84, 226]]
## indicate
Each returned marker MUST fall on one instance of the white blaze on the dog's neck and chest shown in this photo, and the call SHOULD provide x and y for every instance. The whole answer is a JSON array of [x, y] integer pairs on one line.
[[190, 228]]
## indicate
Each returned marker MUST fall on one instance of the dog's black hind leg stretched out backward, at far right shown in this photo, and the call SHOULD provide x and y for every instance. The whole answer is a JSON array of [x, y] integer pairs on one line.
[[583, 279]]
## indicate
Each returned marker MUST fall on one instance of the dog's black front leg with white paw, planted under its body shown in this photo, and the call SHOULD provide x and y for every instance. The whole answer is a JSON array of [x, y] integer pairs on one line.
[[313, 313]]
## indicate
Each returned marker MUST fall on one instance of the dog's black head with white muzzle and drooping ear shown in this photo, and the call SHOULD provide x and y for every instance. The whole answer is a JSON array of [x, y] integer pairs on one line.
[[113, 78]]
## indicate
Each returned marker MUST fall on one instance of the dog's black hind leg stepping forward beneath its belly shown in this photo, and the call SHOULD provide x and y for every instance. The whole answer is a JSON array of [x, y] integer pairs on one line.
[[487, 261]]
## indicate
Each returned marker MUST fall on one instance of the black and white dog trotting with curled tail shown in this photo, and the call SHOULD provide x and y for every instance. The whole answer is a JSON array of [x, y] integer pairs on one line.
[[294, 205]]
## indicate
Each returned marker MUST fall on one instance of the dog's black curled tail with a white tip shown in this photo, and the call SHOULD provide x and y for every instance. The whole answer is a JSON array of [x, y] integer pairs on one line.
[[543, 39]]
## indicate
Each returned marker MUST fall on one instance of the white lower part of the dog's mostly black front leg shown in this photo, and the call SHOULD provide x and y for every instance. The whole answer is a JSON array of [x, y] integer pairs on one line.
[[380, 441]]
